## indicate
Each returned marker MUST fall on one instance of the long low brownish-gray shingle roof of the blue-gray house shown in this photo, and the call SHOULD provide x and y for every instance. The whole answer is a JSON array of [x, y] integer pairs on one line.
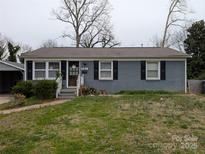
[[89, 53]]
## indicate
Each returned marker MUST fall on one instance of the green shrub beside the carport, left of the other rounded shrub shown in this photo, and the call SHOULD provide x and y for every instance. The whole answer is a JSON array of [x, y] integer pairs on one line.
[[24, 88]]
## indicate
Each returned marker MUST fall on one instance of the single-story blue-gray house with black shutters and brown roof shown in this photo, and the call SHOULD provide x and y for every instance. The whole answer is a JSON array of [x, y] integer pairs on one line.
[[110, 69]]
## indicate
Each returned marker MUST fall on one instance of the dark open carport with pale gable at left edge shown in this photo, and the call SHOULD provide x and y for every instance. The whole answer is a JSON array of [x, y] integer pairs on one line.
[[10, 74]]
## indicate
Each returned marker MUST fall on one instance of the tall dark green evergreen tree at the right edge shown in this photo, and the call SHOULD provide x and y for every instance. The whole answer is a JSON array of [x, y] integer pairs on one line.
[[195, 46]]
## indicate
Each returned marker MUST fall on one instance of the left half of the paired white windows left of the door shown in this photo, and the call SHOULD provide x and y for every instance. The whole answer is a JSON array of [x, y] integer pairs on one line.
[[40, 70]]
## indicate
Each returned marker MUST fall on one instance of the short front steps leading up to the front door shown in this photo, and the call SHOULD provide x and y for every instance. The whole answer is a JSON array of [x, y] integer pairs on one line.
[[69, 93]]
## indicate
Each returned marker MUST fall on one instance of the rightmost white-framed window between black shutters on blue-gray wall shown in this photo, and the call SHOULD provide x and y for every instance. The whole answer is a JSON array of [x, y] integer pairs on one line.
[[153, 70]]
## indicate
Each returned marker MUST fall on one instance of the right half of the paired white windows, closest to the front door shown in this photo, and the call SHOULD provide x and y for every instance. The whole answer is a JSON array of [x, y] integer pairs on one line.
[[53, 69]]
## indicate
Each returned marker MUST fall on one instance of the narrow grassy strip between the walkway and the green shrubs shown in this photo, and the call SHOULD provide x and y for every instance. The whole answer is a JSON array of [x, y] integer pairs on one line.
[[27, 102]]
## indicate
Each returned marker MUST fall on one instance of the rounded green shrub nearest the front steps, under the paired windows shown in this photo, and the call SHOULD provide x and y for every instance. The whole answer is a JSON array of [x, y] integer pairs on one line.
[[45, 89]]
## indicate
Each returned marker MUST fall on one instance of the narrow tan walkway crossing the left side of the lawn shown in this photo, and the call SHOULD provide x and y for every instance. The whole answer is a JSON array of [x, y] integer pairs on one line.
[[38, 106]]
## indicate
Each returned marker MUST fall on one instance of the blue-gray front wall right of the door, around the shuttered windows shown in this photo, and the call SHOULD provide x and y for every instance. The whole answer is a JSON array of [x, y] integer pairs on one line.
[[129, 78]]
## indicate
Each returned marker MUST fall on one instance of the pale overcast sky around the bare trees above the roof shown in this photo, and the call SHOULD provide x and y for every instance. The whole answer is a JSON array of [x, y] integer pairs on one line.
[[135, 21]]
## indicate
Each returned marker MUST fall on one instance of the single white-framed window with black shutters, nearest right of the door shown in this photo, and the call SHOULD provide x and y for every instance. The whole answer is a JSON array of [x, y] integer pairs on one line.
[[106, 70]]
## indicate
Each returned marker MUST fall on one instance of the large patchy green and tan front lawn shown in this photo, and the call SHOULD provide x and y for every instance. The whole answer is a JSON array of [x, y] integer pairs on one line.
[[119, 124]]
